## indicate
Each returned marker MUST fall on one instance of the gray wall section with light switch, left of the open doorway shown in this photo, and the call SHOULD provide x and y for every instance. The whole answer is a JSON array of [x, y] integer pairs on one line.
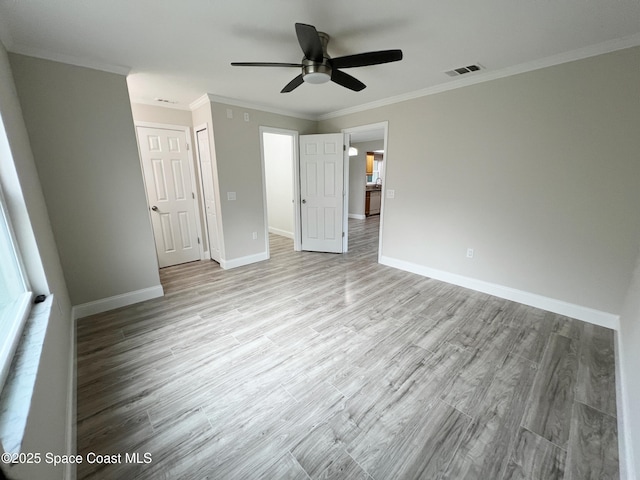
[[238, 158]]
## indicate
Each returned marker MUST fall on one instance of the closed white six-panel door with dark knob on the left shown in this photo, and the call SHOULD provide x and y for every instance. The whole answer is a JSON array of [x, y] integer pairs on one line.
[[170, 192]]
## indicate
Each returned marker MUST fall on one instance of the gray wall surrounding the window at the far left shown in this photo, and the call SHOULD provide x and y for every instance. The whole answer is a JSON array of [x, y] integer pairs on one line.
[[46, 429]]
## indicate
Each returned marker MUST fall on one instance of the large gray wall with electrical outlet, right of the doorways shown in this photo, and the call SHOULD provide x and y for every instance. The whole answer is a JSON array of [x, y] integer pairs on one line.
[[537, 172]]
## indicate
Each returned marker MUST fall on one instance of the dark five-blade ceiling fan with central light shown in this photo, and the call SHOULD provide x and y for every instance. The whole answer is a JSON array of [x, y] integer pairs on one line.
[[318, 67]]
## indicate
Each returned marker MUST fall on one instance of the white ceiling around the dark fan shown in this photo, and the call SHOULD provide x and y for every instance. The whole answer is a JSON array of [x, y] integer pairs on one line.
[[181, 49]]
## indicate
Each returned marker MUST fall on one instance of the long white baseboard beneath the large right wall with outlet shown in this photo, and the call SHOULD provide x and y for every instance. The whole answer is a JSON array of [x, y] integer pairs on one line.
[[590, 315]]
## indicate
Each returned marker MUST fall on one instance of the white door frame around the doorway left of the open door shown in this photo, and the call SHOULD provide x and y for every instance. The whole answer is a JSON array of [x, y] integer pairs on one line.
[[297, 228]]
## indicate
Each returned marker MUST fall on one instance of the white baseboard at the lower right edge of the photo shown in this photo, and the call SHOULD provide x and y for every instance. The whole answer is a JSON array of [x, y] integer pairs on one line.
[[625, 447]]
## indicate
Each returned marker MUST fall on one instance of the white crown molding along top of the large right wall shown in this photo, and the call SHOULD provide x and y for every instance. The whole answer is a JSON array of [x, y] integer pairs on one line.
[[486, 76]]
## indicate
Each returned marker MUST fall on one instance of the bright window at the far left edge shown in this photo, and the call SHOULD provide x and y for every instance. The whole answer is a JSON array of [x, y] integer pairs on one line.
[[15, 297]]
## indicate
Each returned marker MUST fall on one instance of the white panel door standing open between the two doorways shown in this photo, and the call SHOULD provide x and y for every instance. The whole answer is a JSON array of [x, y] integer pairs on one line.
[[322, 191]]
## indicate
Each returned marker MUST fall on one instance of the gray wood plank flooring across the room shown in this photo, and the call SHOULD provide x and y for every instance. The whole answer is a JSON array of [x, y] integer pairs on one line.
[[323, 366]]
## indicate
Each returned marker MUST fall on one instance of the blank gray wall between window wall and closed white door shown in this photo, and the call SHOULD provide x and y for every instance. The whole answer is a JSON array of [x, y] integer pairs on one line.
[[83, 140]]
